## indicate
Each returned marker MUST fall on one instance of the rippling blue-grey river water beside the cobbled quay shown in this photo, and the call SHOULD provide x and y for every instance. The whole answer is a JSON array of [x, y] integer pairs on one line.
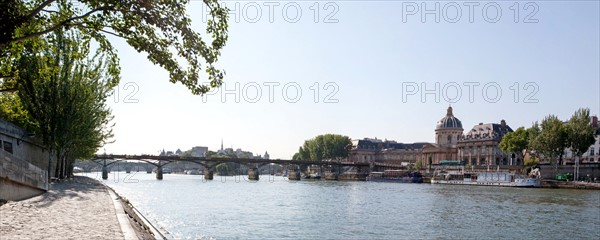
[[188, 207]]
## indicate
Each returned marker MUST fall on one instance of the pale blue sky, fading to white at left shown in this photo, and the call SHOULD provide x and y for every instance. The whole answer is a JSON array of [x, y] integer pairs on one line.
[[385, 69]]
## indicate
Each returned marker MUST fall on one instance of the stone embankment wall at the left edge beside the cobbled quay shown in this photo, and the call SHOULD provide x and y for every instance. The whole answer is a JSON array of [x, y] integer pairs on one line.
[[23, 164]]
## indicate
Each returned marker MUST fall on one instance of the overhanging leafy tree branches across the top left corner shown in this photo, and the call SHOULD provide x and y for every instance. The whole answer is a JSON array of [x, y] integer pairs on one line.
[[156, 28]]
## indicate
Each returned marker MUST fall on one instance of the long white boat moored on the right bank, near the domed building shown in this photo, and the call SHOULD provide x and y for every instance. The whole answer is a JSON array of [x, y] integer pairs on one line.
[[490, 178]]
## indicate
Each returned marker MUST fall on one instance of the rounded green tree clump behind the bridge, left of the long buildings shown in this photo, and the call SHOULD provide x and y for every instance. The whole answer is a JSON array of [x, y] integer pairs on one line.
[[325, 147]]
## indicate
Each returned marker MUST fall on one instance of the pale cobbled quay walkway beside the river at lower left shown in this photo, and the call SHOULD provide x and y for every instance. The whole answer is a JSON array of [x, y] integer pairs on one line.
[[77, 209]]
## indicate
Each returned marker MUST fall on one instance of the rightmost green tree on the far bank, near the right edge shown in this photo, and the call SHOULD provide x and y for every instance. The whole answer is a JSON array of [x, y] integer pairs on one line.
[[580, 133]]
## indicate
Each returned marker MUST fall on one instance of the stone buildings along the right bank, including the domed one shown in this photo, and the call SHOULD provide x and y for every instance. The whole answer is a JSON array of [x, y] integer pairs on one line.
[[477, 147]]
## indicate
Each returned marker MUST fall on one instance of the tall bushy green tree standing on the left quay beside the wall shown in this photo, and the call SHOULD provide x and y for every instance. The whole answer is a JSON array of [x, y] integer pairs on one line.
[[64, 94]]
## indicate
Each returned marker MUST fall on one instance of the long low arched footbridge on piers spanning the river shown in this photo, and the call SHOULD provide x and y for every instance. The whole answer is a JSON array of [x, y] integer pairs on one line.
[[332, 171]]
